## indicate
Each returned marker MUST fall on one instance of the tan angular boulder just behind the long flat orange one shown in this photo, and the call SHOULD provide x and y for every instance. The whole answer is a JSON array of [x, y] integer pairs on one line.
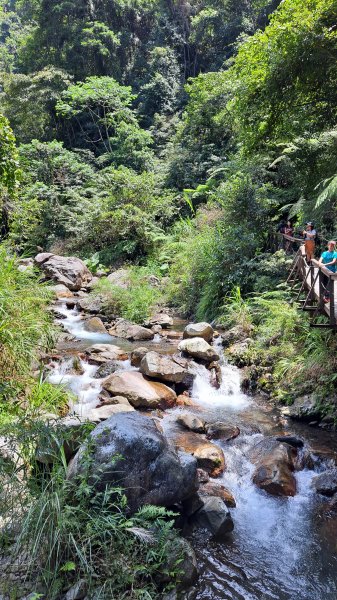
[[163, 368]]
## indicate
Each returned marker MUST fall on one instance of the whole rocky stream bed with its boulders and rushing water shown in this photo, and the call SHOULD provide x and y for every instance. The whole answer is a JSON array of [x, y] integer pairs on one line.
[[262, 515]]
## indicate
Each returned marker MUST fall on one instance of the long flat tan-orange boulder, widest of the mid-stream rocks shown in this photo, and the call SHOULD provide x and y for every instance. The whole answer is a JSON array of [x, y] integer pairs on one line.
[[139, 391]]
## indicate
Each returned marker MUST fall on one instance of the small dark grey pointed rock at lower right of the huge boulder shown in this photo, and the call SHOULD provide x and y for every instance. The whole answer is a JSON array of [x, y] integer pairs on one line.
[[215, 516]]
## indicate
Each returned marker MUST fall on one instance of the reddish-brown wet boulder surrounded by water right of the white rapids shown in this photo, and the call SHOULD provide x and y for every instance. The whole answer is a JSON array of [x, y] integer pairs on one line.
[[274, 467]]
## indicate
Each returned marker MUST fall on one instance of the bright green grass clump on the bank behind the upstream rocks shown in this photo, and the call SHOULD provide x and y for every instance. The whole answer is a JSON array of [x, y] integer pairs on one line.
[[135, 302]]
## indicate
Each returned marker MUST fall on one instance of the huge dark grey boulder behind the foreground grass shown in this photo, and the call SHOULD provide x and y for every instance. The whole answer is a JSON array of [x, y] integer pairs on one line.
[[127, 450]]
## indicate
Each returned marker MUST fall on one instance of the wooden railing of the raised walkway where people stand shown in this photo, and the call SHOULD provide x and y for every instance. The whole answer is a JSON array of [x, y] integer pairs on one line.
[[317, 293]]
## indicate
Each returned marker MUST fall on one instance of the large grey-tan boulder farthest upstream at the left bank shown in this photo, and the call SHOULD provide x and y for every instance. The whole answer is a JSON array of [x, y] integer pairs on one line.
[[69, 270]]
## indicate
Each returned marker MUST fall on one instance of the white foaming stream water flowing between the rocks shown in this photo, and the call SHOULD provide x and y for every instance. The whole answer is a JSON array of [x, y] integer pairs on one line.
[[281, 548]]
